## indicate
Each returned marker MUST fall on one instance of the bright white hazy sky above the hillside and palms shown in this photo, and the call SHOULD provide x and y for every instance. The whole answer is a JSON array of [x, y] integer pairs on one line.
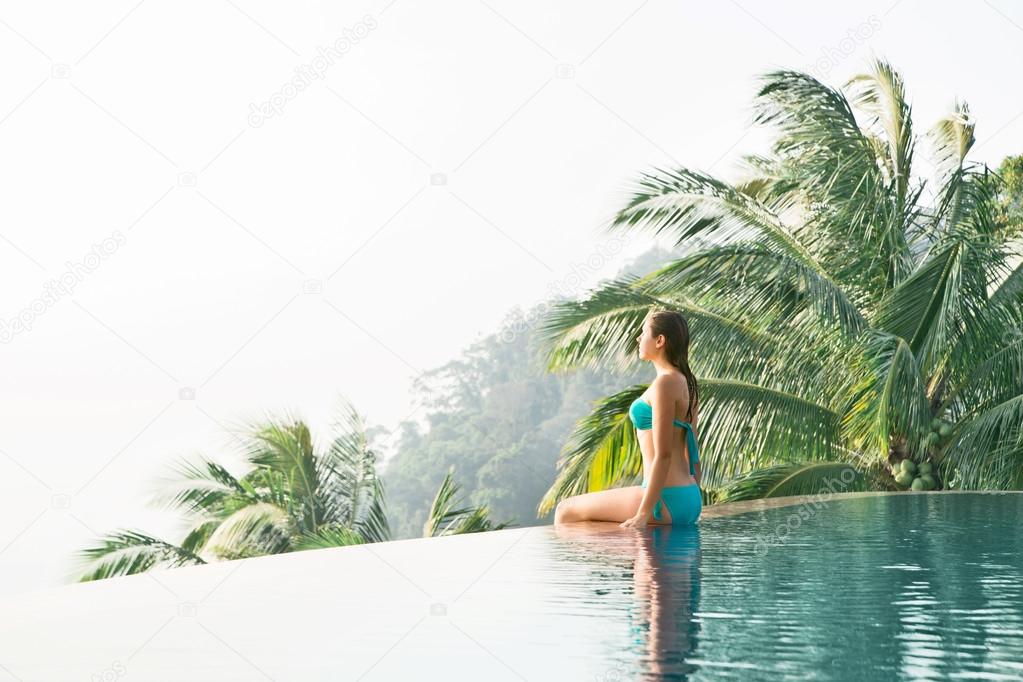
[[131, 121]]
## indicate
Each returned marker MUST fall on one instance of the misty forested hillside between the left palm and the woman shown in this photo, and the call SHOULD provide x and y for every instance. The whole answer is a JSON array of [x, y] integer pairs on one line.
[[500, 420]]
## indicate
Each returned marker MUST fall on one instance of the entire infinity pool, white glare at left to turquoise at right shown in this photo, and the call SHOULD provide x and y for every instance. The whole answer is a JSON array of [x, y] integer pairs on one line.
[[904, 586]]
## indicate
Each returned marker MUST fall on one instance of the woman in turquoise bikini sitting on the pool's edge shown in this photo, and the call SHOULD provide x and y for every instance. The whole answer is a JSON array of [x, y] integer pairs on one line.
[[671, 491]]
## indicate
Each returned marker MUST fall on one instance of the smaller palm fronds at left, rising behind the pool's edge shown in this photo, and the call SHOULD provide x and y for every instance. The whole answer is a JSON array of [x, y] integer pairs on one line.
[[293, 497]]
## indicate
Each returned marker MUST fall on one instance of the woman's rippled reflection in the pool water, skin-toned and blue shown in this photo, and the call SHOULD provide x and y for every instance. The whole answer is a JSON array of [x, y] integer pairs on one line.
[[666, 583]]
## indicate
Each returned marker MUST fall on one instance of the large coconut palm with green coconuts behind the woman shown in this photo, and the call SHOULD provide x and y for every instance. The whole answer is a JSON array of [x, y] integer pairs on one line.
[[847, 315]]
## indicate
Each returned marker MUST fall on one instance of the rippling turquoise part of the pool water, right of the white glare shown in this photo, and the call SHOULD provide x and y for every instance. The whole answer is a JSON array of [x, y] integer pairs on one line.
[[887, 587]]
